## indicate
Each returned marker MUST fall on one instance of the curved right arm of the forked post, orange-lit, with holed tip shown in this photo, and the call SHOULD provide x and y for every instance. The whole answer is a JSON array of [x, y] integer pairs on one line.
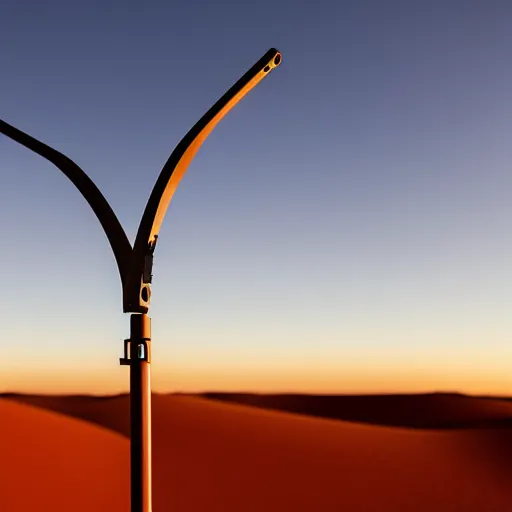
[[175, 168]]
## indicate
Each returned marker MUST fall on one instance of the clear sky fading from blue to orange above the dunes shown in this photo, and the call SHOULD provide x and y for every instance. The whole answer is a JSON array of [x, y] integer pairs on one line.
[[346, 228]]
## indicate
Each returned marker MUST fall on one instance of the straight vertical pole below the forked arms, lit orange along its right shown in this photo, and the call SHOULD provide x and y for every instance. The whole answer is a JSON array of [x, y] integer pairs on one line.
[[140, 413]]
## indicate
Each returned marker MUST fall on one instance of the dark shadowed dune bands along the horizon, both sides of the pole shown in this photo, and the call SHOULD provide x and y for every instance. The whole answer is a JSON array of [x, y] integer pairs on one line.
[[415, 411]]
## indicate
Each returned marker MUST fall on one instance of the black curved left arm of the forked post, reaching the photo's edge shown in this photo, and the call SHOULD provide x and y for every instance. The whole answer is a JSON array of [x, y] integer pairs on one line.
[[110, 223]]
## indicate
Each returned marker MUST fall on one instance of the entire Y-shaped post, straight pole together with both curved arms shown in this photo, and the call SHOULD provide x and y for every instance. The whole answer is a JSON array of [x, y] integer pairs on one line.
[[135, 264]]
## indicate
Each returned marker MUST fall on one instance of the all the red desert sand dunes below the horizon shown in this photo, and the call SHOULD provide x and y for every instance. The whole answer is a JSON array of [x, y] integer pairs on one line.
[[72, 453]]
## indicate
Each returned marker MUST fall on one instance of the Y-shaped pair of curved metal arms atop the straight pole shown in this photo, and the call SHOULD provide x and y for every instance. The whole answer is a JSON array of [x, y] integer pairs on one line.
[[135, 264]]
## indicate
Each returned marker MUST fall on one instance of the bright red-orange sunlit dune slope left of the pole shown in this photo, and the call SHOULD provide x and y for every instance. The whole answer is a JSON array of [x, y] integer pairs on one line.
[[52, 462]]
